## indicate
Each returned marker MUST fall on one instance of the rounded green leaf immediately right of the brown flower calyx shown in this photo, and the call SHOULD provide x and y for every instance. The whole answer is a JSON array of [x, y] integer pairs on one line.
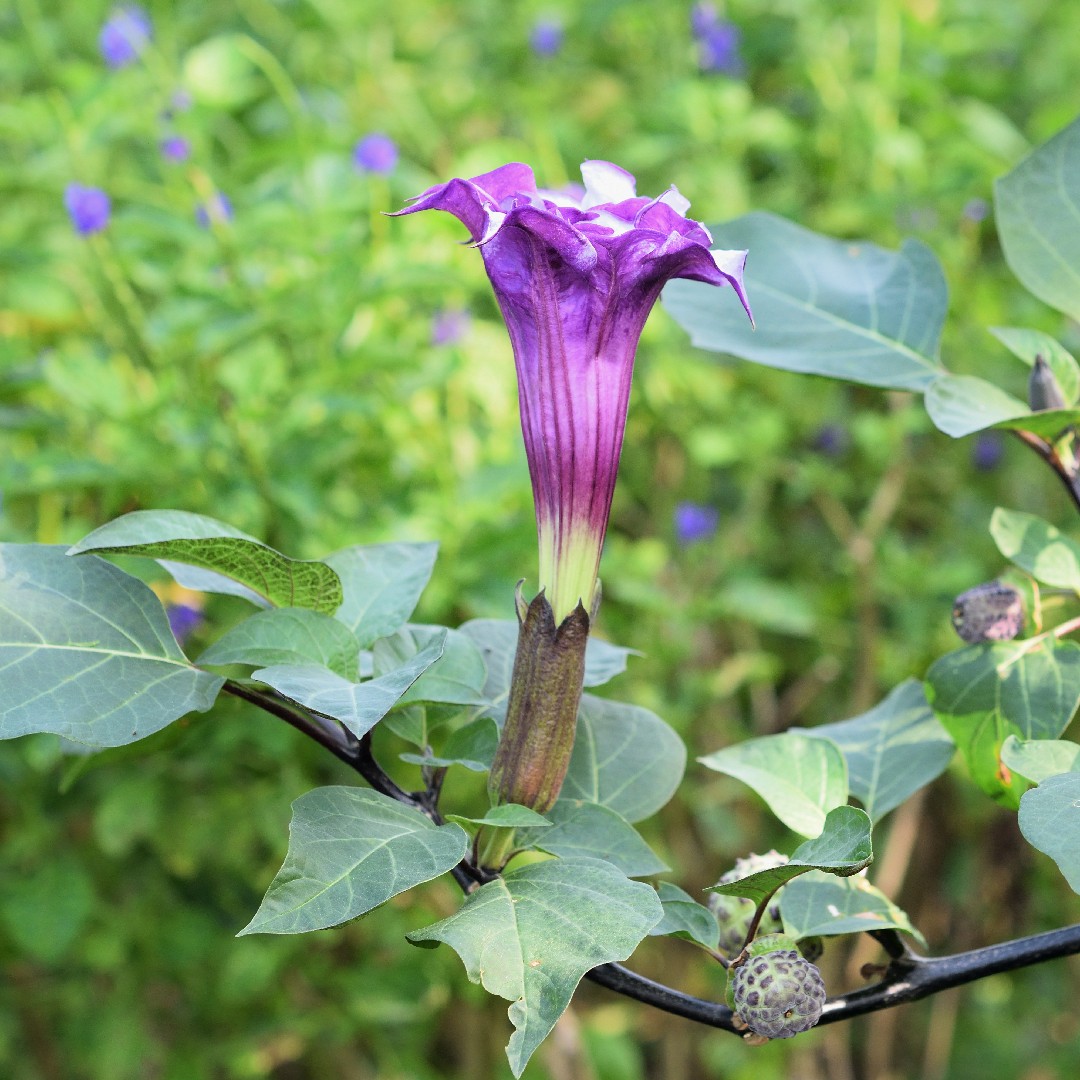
[[625, 758]]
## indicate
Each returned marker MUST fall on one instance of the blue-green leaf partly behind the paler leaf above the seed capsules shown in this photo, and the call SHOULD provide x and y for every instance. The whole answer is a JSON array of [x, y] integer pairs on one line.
[[893, 751]]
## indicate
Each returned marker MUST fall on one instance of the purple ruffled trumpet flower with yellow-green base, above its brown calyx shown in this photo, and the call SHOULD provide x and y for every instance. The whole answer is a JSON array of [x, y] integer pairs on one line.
[[576, 278]]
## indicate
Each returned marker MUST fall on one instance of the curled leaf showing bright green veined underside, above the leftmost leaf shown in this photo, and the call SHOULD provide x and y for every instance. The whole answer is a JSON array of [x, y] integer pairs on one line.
[[210, 545]]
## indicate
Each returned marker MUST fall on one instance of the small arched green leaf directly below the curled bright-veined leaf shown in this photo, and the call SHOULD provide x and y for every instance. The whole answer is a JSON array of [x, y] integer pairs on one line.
[[288, 637]]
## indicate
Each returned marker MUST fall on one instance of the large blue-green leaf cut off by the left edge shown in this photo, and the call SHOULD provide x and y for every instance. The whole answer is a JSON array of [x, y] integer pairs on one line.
[[86, 652]]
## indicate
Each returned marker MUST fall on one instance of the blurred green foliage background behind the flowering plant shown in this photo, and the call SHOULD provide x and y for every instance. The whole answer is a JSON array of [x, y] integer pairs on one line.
[[277, 369]]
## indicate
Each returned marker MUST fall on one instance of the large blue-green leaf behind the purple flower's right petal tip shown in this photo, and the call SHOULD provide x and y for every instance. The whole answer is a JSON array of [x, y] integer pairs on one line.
[[846, 309]]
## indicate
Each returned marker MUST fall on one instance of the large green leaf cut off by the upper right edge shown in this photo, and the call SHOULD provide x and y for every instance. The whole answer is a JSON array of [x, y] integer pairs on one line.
[[1038, 215]]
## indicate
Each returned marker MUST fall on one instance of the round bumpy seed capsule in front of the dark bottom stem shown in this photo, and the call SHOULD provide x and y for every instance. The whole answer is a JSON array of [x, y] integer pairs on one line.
[[778, 994]]
